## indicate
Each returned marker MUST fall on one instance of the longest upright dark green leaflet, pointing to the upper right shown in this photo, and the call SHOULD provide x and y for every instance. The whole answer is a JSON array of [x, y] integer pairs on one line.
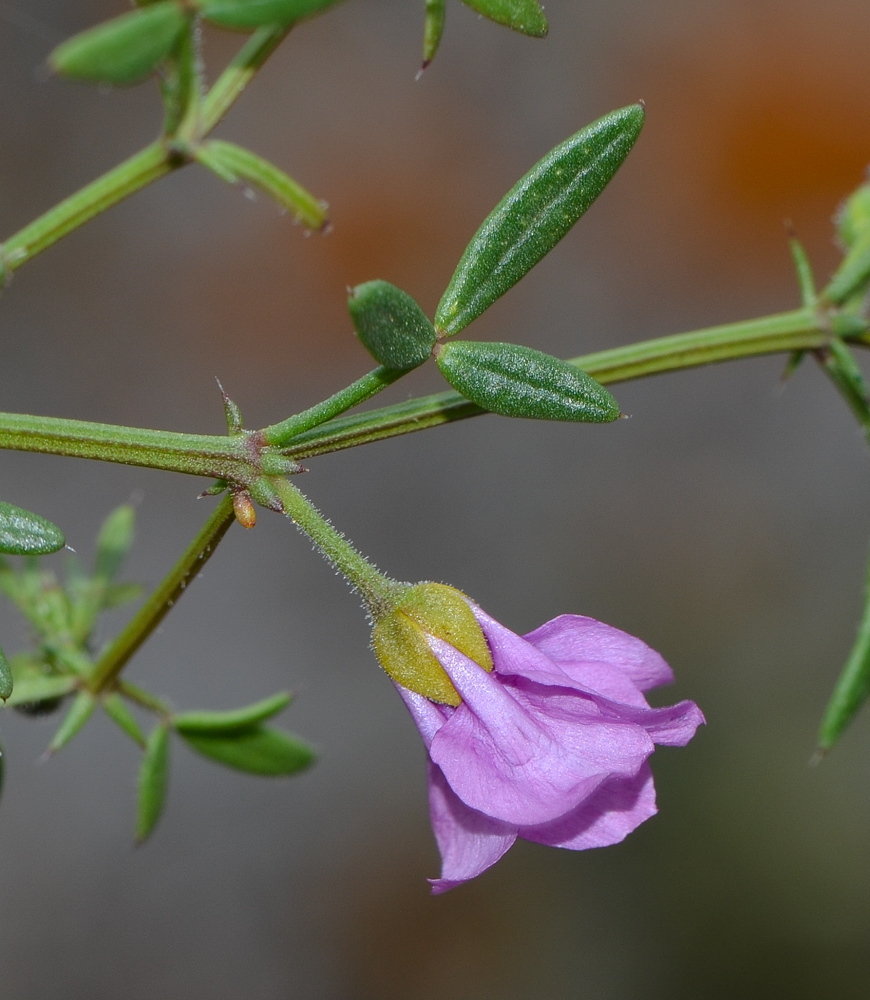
[[535, 214]]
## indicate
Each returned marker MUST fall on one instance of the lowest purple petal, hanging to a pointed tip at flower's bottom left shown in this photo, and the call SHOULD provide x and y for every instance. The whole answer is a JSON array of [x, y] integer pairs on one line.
[[469, 842]]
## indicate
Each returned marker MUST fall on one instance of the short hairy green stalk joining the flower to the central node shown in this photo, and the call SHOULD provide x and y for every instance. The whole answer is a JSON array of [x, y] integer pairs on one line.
[[378, 591]]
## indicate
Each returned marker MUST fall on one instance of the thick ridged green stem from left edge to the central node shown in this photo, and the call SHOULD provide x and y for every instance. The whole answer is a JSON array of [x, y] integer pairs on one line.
[[219, 457]]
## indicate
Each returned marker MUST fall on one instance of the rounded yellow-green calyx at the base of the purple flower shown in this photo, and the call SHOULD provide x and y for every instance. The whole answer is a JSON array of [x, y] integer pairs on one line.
[[399, 639]]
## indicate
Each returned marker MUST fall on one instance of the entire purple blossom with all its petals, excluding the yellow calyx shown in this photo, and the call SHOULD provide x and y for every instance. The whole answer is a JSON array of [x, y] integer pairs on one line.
[[552, 746]]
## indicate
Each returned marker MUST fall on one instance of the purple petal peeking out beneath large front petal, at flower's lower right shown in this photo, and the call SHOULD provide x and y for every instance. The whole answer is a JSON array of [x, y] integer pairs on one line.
[[607, 817]]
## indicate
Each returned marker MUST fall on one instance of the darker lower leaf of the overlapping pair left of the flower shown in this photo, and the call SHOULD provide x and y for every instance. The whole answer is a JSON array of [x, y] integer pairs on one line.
[[256, 750]]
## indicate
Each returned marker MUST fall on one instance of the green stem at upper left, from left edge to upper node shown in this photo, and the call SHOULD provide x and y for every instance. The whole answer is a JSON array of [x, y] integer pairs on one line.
[[128, 177]]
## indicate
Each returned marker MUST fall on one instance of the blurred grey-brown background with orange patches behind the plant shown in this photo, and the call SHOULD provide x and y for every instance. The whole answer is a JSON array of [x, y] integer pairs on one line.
[[726, 523]]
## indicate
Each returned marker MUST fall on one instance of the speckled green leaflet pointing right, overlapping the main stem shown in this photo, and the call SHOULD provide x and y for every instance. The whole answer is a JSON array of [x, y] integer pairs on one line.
[[517, 381]]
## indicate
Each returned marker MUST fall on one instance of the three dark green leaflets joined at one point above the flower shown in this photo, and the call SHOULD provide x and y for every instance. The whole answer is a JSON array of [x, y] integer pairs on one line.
[[528, 222]]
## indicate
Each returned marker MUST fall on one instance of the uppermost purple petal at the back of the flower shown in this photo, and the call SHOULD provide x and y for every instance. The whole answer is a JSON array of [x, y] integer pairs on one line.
[[575, 642]]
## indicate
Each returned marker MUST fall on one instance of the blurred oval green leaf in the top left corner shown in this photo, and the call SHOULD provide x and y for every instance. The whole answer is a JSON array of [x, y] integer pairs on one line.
[[124, 50]]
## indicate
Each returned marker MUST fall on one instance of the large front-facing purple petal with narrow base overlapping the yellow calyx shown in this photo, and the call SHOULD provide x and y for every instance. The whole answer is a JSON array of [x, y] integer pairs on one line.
[[527, 754]]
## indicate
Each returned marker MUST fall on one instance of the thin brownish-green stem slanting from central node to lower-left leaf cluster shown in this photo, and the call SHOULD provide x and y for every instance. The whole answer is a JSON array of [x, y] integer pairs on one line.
[[158, 605]]
